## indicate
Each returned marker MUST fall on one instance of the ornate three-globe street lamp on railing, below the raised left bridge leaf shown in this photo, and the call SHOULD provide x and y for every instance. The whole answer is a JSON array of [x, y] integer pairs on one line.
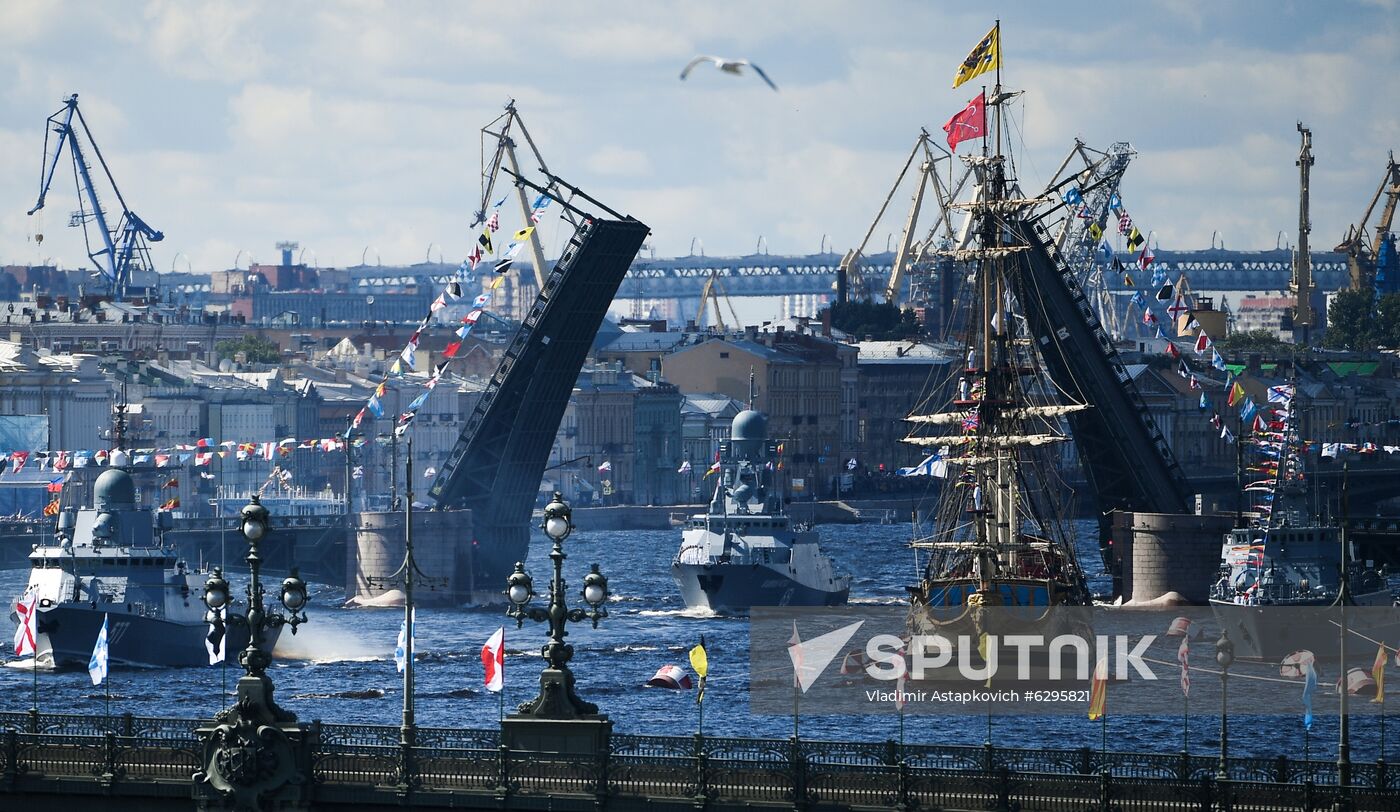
[[556, 698]]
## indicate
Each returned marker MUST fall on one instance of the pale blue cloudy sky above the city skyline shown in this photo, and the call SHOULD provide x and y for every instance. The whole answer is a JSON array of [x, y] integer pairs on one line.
[[355, 127]]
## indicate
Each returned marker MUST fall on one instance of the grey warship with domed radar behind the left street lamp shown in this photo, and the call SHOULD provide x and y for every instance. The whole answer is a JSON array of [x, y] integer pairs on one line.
[[110, 563]]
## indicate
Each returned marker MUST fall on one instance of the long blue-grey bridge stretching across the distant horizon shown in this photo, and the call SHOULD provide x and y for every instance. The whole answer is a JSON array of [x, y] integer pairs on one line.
[[772, 275]]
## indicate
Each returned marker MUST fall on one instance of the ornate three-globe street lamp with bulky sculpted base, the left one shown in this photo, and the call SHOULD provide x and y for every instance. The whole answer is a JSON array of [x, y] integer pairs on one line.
[[248, 748]]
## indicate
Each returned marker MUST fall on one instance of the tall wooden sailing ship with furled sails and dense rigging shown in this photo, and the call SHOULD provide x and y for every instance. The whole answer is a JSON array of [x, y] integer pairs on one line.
[[1002, 534]]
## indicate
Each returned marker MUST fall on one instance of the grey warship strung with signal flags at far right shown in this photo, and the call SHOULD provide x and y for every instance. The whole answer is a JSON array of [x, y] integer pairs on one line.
[[1286, 556]]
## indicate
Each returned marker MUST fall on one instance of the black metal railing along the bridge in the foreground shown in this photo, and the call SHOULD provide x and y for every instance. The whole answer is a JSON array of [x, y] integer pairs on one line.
[[351, 764]]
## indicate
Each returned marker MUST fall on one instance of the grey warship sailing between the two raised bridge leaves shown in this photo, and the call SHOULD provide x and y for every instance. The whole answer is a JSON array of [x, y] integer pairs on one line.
[[744, 552]]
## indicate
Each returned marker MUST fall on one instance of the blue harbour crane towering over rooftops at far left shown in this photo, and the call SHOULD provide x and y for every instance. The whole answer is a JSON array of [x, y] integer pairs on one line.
[[124, 250]]
